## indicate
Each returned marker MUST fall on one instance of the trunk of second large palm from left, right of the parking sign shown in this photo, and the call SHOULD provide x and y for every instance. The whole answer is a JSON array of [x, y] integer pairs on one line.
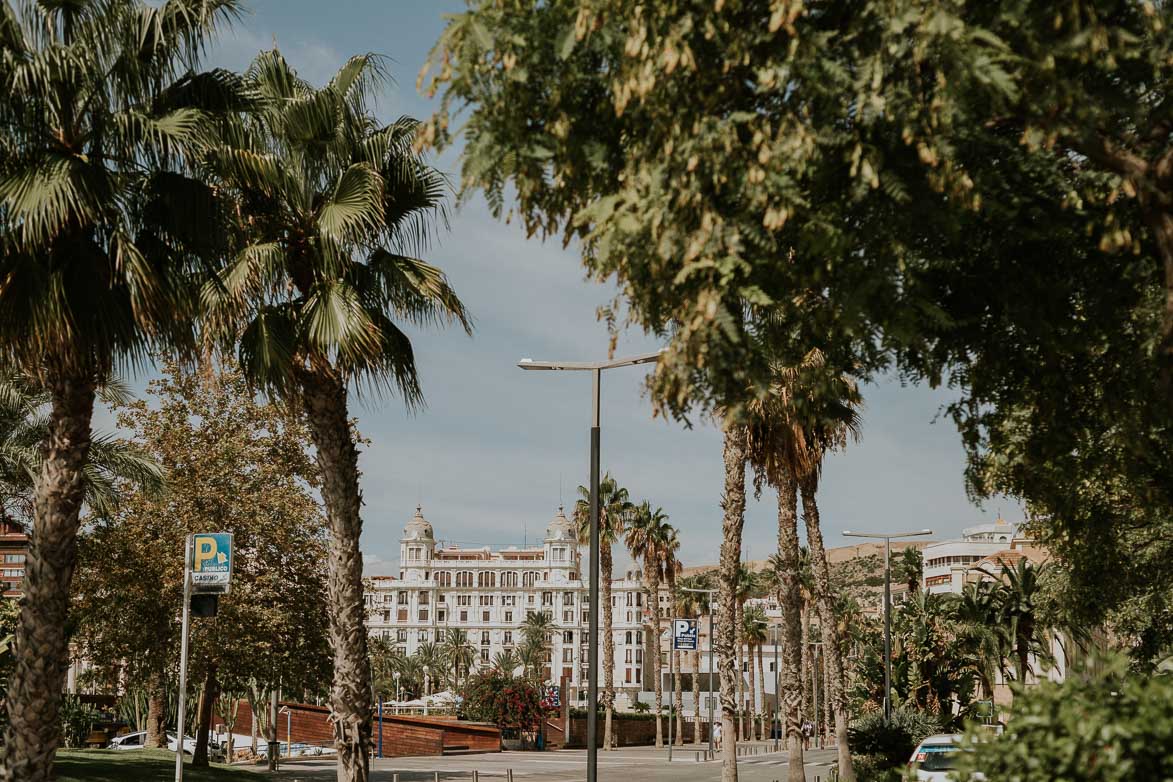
[[324, 396]]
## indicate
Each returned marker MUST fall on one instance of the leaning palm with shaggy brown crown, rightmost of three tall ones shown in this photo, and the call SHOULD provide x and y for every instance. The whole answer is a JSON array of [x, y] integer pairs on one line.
[[808, 412]]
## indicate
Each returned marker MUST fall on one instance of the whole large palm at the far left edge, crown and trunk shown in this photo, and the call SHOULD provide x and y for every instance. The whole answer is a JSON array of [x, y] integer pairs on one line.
[[103, 118]]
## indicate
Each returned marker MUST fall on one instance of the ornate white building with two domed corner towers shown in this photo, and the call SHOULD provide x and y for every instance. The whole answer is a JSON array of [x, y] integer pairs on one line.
[[489, 594]]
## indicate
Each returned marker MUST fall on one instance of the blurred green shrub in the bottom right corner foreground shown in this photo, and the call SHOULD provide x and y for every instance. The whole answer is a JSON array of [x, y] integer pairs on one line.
[[1102, 725]]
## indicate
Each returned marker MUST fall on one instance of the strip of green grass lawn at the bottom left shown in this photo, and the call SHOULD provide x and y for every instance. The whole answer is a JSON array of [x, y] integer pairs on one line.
[[137, 766]]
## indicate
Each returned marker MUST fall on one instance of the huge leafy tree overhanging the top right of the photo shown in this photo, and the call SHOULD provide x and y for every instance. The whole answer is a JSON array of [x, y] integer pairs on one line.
[[978, 191]]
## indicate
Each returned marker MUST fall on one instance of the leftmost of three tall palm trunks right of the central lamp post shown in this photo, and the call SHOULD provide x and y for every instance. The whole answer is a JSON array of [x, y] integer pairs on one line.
[[734, 507]]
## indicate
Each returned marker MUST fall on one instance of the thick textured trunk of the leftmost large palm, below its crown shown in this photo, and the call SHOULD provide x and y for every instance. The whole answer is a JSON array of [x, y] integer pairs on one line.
[[35, 690]]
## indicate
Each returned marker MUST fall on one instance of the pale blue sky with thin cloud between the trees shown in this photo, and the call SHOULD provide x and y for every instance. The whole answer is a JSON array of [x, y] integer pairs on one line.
[[497, 448]]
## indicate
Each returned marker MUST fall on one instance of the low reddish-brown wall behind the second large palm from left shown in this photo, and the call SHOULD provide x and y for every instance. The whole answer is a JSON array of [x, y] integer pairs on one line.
[[402, 735]]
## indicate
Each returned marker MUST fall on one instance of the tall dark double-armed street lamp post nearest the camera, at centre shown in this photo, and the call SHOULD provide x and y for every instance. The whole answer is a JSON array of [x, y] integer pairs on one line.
[[596, 370]]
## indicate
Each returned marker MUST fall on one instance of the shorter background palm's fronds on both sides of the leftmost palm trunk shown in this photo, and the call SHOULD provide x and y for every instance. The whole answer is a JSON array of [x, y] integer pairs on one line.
[[112, 464]]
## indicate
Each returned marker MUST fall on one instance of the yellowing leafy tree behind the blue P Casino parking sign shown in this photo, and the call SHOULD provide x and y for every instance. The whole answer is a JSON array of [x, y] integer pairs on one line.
[[234, 465]]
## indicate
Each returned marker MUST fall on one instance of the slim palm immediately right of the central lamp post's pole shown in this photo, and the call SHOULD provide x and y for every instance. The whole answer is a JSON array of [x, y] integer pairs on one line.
[[614, 509]]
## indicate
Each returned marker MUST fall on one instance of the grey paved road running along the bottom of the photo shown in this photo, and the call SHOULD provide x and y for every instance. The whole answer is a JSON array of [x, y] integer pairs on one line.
[[628, 765]]
